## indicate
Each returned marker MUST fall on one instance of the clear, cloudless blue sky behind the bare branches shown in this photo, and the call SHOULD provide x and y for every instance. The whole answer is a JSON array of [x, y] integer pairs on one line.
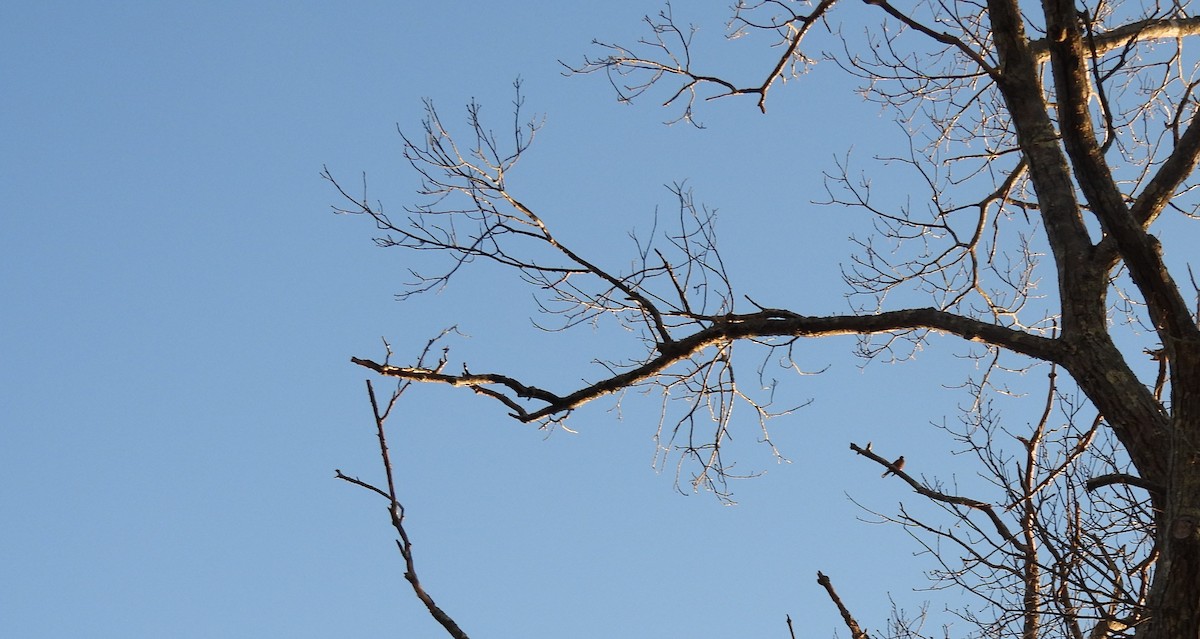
[[182, 307]]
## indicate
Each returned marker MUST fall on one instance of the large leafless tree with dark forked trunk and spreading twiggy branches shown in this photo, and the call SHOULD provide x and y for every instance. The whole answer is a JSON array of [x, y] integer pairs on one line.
[[1046, 142]]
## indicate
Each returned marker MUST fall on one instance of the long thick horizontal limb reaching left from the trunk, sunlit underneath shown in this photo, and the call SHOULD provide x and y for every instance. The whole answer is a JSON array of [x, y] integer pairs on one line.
[[724, 330]]
